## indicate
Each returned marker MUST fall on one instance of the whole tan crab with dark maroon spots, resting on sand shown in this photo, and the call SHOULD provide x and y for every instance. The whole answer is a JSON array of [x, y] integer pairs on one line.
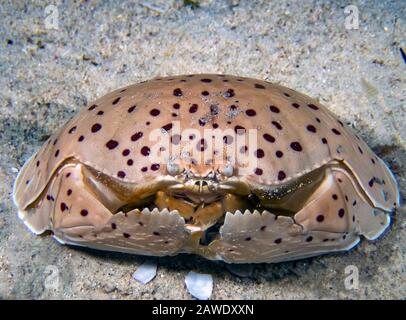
[[226, 167]]
